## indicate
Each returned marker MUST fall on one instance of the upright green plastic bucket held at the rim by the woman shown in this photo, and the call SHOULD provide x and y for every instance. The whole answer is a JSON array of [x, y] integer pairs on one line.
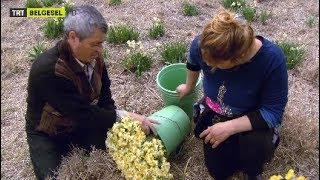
[[168, 79]]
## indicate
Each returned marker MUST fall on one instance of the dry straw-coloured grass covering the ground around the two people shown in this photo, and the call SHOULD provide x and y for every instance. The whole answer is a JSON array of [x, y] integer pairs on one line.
[[299, 147]]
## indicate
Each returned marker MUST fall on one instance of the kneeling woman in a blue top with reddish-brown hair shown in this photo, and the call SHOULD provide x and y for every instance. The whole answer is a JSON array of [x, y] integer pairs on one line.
[[245, 85]]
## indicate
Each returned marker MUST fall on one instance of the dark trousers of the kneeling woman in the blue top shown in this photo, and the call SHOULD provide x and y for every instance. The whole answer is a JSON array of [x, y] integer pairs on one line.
[[246, 151]]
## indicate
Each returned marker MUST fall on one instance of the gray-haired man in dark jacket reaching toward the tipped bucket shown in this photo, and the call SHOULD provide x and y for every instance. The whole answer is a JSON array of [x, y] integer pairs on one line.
[[69, 98]]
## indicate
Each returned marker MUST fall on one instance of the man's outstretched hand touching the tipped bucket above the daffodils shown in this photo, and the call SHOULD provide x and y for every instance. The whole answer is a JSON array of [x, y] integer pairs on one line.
[[147, 124]]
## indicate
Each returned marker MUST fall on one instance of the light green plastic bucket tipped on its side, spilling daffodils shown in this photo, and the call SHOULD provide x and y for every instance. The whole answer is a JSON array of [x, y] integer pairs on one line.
[[174, 126]]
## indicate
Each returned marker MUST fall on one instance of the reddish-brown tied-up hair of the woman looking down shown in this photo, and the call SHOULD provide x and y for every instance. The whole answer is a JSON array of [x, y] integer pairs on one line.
[[226, 37]]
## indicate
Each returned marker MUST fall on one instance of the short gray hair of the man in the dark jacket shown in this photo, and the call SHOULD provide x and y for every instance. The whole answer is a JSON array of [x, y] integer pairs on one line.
[[83, 20]]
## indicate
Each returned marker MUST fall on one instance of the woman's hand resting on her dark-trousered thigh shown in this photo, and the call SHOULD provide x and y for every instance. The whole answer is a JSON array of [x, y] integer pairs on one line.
[[217, 133]]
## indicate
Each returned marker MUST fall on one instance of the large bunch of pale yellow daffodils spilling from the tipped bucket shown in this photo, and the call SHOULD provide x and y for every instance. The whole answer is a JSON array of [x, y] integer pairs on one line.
[[136, 155]]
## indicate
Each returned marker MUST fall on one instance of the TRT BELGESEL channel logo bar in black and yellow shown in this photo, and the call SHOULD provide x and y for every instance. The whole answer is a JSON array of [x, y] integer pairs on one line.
[[38, 12]]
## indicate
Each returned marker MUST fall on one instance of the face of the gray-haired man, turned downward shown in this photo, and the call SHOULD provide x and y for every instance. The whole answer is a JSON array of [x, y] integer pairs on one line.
[[89, 48]]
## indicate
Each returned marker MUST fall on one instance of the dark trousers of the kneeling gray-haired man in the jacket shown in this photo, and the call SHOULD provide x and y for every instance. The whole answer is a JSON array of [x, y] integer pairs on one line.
[[46, 152]]
